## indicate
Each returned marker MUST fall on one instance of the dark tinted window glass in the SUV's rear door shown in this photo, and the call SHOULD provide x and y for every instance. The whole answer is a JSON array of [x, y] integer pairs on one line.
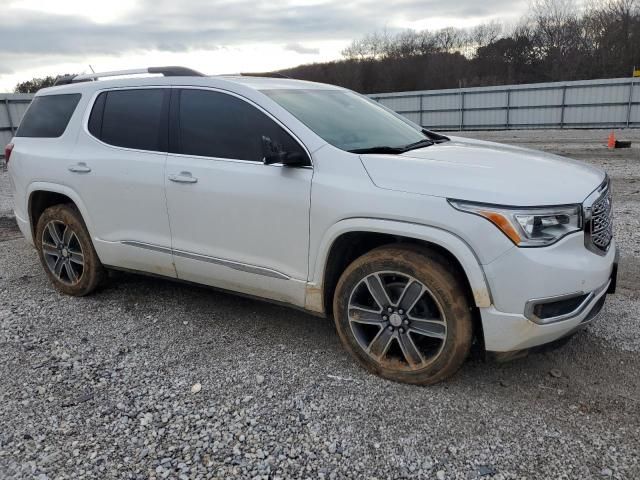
[[132, 118]]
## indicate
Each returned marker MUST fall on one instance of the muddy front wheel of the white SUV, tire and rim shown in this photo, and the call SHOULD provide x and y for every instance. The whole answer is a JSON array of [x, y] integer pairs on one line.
[[402, 312]]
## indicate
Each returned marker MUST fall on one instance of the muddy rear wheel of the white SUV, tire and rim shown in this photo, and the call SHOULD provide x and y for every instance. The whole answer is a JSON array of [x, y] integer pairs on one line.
[[66, 251]]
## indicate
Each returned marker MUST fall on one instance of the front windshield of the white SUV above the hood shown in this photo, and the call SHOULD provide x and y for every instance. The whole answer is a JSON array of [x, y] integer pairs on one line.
[[346, 120]]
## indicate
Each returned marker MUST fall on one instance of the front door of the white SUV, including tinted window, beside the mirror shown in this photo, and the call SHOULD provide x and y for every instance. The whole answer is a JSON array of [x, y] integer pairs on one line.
[[236, 223]]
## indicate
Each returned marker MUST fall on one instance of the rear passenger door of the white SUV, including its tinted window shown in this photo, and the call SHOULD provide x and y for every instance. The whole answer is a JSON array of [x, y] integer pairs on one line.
[[119, 172]]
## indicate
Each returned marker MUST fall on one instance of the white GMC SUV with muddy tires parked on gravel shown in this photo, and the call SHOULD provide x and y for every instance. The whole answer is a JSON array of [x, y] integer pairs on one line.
[[314, 196]]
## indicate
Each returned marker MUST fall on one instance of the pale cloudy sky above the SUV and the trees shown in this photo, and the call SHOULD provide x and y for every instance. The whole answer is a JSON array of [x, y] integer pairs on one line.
[[49, 37]]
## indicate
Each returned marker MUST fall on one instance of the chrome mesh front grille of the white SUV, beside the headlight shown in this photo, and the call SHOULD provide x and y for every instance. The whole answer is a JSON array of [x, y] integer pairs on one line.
[[598, 215]]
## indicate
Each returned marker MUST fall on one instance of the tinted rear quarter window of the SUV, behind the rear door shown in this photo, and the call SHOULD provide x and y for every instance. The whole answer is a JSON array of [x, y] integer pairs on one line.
[[48, 116]]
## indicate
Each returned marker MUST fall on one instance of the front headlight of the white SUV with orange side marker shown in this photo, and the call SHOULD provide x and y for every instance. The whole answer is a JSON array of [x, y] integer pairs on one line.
[[528, 227]]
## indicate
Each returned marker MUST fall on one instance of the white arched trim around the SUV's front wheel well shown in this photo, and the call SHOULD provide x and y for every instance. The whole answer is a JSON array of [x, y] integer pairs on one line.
[[447, 240]]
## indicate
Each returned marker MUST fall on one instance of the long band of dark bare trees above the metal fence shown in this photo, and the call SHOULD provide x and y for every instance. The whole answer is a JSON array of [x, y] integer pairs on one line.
[[555, 41]]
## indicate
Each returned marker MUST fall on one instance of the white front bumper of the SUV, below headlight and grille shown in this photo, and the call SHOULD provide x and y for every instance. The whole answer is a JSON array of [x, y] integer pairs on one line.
[[541, 295]]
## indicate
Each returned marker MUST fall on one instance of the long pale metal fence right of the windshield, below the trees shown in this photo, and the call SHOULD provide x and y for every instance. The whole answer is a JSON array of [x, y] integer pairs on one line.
[[611, 103]]
